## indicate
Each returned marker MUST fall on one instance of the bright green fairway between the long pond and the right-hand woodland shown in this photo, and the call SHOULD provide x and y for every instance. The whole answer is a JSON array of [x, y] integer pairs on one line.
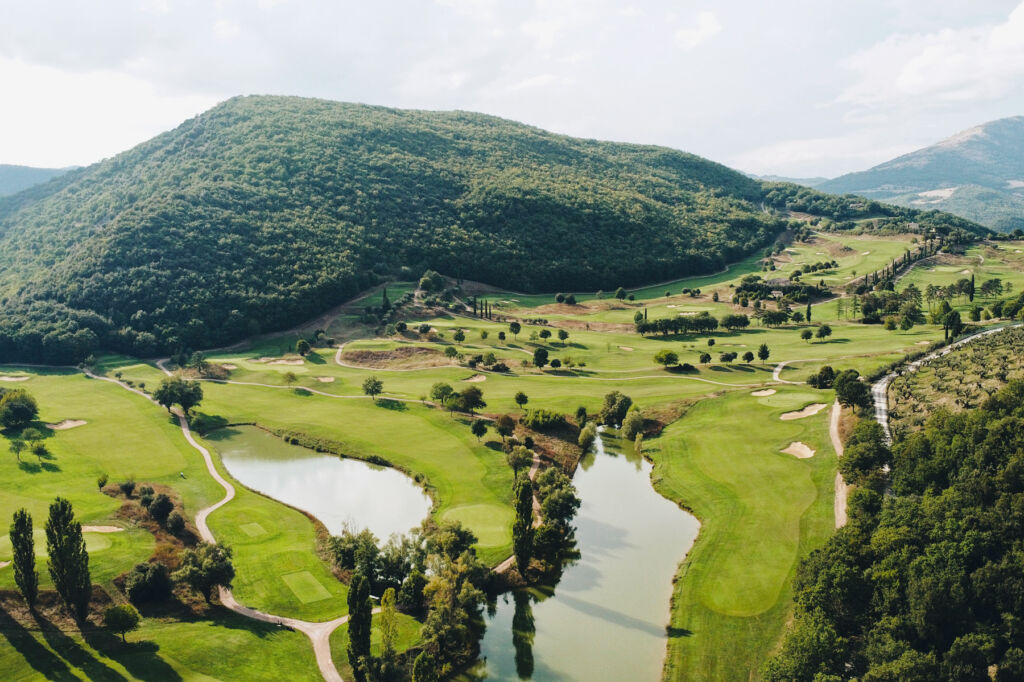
[[760, 510]]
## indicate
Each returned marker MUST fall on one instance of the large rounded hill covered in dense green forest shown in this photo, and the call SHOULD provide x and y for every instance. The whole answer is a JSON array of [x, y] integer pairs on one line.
[[266, 211]]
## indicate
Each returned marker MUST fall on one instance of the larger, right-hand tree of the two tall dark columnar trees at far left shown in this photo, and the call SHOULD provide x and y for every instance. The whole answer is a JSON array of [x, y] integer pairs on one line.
[[69, 560]]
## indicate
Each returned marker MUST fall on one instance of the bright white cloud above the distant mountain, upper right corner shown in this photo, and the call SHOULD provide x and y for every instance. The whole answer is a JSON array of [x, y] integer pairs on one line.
[[940, 68]]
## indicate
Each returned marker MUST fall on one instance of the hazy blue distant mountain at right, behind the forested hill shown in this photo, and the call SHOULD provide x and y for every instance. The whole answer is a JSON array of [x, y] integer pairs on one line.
[[977, 175]]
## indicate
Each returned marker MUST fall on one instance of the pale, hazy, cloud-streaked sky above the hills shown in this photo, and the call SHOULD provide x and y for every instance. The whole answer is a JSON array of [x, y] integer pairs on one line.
[[794, 88]]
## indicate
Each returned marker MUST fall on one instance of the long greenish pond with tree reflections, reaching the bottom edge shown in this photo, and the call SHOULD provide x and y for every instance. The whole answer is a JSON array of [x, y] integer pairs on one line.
[[607, 618]]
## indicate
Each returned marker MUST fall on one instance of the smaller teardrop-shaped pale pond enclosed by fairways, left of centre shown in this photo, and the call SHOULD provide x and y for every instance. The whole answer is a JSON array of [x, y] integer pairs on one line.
[[336, 491]]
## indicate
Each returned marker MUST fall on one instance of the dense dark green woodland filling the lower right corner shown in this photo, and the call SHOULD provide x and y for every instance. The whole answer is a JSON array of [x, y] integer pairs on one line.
[[925, 582]]
